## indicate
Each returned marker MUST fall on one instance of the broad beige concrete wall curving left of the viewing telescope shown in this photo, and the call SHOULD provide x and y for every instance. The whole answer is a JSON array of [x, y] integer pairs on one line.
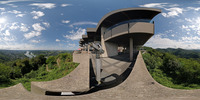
[[77, 80]]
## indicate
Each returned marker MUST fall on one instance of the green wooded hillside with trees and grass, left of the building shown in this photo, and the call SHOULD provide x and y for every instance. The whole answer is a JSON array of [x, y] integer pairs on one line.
[[16, 68]]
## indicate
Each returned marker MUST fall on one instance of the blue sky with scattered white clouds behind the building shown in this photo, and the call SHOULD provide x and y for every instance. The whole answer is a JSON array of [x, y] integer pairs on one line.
[[59, 24]]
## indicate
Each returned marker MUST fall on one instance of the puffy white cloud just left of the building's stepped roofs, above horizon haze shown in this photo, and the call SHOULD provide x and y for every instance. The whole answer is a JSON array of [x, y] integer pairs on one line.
[[75, 35]]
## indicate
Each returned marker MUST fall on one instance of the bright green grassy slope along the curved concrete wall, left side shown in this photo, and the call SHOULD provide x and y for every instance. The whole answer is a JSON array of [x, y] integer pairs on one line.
[[43, 75]]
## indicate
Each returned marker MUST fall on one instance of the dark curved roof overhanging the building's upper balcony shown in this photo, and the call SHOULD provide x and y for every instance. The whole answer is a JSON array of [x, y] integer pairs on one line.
[[126, 14]]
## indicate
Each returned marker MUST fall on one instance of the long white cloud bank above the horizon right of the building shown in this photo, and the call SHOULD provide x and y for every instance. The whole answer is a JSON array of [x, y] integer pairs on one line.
[[158, 42]]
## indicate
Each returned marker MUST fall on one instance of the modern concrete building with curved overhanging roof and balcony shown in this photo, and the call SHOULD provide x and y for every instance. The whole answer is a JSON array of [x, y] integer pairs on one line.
[[127, 29]]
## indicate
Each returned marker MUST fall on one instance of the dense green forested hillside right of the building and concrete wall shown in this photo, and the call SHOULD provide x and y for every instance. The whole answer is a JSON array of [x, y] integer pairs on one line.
[[174, 68]]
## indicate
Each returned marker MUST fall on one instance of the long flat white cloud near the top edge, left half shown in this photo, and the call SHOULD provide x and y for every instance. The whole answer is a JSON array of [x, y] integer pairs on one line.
[[44, 5]]
